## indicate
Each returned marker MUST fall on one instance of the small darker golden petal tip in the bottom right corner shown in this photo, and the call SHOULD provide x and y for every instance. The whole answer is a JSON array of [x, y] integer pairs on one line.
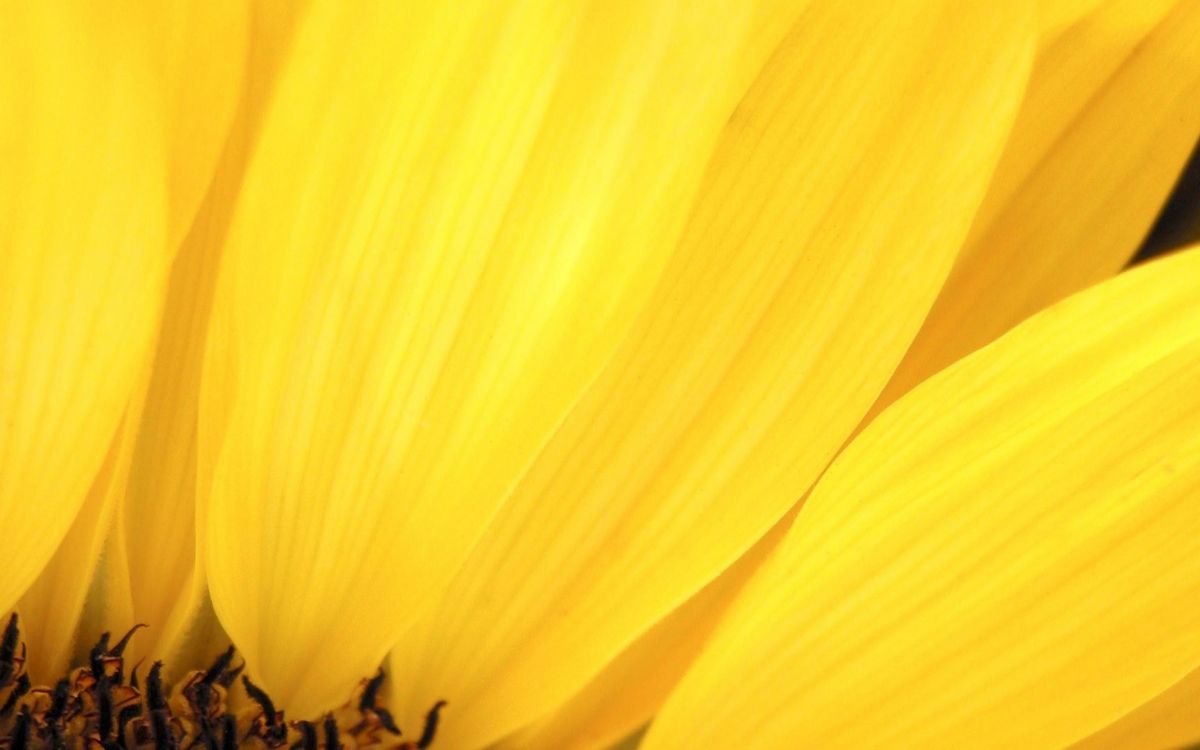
[[1168, 721]]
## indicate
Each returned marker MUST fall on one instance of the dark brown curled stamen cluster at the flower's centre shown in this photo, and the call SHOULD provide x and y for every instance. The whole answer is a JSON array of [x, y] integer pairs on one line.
[[97, 707]]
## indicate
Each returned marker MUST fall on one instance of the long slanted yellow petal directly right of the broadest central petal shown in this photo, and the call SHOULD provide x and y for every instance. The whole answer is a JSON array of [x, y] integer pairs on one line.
[[795, 290]]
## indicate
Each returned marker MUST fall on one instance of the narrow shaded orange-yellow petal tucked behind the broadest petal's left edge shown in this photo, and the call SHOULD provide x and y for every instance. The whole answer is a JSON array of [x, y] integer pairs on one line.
[[157, 551]]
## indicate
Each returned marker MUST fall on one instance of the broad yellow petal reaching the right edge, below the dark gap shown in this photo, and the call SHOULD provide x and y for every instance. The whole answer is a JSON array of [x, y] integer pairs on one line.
[[1006, 559]]
